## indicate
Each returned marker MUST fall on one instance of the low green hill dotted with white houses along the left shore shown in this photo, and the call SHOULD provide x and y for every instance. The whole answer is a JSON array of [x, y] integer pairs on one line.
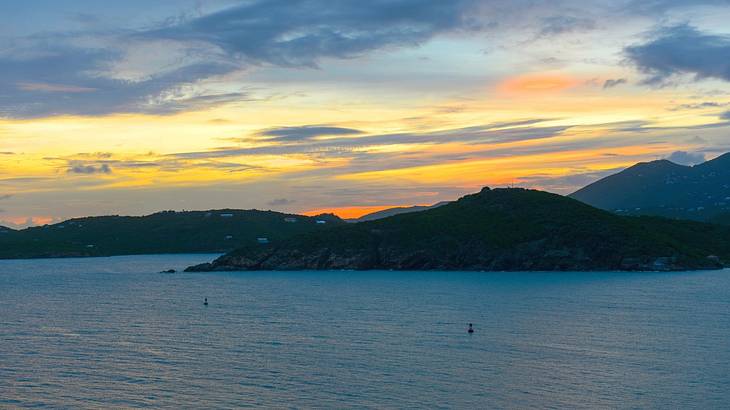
[[164, 232]]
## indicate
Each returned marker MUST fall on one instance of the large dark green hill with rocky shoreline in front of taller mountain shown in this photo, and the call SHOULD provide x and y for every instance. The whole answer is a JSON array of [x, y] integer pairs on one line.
[[501, 229]]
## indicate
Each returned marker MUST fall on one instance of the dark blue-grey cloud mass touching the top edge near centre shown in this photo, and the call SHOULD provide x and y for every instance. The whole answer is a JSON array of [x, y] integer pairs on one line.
[[296, 33]]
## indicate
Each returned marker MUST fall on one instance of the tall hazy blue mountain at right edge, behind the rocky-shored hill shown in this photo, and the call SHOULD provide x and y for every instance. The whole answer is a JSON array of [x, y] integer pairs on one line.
[[664, 188]]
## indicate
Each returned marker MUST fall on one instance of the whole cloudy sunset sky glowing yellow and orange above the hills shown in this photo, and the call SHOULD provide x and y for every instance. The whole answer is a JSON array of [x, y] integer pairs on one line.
[[345, 106]]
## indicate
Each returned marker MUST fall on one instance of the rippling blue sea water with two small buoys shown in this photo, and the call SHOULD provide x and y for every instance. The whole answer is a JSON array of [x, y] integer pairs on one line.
[[112, 332]]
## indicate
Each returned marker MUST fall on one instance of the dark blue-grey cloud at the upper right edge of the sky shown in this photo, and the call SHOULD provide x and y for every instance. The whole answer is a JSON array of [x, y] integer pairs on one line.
[[681, 50]]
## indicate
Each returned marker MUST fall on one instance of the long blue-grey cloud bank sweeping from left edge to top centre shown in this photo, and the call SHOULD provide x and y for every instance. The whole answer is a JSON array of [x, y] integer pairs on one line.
[[164, 68]]
